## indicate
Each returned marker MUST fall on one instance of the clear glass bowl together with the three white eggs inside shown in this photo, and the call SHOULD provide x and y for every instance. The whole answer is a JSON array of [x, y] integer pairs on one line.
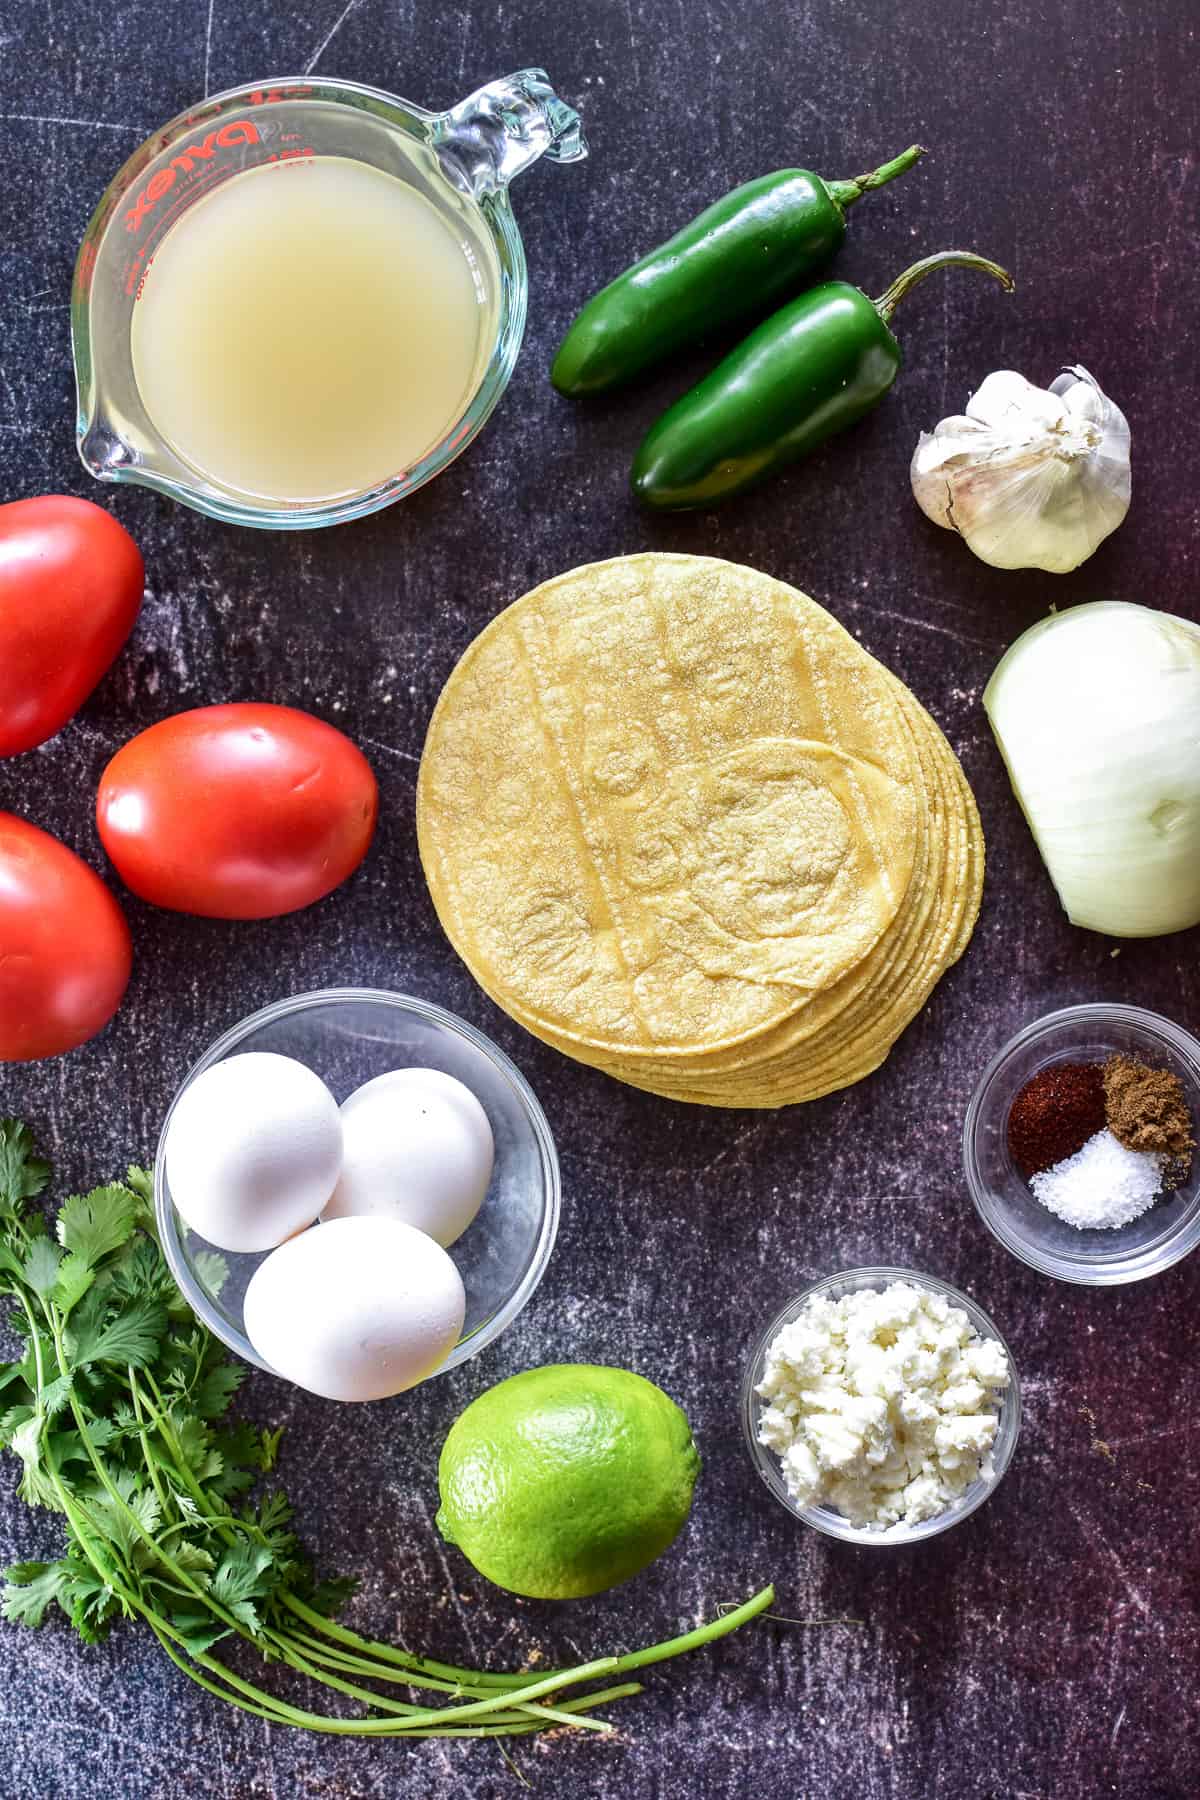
[[357, 1191]]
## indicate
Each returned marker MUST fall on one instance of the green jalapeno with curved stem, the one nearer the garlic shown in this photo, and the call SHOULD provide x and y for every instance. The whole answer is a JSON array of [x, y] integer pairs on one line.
[[809, 372]]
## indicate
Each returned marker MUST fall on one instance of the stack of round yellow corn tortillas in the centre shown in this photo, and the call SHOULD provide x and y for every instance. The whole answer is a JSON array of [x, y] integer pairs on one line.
[[685, 829]]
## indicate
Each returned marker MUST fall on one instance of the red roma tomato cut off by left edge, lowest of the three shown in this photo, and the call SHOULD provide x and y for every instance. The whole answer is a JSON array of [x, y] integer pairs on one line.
[[64, 946]]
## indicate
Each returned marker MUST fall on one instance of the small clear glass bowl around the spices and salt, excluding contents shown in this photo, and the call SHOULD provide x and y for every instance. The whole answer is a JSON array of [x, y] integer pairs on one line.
[[1003, 1196]]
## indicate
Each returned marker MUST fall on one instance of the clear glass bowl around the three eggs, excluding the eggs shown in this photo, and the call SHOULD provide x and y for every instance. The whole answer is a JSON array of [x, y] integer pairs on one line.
[[350, 1036]]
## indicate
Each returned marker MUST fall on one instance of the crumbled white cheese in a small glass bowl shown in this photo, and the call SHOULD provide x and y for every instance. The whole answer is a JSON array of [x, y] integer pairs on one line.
[[882, 1405]]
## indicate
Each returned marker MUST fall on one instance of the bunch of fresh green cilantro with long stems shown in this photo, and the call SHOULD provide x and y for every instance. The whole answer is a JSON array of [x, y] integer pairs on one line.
[[116, 1410]]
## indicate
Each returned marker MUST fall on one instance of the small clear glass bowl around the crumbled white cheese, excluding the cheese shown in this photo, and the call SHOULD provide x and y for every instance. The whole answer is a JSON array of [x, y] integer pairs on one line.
[[825, 1518]]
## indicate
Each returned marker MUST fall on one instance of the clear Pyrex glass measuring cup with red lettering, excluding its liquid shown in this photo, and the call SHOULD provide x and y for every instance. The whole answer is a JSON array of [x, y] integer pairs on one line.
[[460, 161]]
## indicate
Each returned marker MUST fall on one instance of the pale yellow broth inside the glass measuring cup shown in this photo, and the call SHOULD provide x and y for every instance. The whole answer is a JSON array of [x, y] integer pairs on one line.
[[312, 328]]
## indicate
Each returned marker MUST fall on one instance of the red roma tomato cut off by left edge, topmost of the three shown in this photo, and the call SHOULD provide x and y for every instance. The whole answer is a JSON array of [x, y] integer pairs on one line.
[[71, 588]]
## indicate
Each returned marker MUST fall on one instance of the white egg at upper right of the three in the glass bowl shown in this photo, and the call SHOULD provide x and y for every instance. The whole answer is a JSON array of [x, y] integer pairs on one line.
[[416, 1147]]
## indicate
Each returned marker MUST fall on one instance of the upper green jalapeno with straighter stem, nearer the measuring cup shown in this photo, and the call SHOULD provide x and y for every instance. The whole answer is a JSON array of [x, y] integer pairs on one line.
[[737, 262]]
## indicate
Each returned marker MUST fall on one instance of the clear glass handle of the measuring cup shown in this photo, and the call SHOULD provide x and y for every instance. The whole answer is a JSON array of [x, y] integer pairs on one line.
[[497, 132]]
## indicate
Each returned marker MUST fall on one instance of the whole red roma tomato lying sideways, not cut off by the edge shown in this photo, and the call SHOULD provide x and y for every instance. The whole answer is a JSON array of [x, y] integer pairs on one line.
[[238, 811]]
